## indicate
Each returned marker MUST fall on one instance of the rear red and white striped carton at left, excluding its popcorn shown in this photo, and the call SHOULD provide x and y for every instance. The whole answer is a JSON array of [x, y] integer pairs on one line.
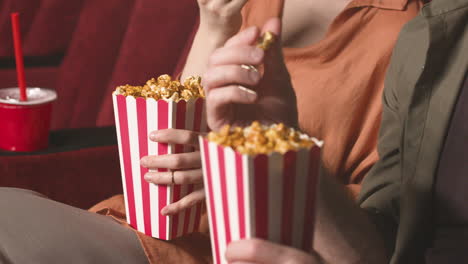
[[135, 118]]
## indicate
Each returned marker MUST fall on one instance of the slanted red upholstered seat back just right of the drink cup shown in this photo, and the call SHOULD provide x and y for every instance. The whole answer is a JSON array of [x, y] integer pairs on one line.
[[89, 62]]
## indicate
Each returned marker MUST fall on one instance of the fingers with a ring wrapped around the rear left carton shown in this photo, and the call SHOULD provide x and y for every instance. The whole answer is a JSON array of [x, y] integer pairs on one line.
[[186, 167]]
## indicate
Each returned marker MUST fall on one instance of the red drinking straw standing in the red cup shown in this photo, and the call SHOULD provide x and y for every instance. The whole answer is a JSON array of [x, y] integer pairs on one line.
[[19, 56]]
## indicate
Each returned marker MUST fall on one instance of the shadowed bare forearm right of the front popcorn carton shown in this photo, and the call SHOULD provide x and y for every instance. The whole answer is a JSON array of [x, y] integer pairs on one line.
[[344, 232]]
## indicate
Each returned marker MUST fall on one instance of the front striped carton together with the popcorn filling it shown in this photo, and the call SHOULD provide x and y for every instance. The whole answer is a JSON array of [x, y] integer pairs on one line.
[[275, 190]]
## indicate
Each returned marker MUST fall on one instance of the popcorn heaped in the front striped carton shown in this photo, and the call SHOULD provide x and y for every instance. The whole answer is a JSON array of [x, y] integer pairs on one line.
[[258, 139]]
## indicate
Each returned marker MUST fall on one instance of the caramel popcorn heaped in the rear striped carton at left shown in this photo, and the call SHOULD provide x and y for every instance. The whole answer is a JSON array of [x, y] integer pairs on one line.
[[165, 88]]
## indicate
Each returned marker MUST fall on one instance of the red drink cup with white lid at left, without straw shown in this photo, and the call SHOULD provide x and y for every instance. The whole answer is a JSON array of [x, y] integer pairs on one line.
[[25, 125]]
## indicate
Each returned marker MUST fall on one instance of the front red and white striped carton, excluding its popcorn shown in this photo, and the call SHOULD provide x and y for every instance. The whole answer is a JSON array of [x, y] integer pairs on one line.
[[270, 197]]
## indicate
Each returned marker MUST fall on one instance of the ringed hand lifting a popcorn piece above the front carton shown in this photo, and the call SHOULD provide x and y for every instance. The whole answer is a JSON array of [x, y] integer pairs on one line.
[[239, 95]]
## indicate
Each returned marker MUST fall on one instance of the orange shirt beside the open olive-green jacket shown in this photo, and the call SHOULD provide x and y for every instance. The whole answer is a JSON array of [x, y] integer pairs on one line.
[[339, 80]]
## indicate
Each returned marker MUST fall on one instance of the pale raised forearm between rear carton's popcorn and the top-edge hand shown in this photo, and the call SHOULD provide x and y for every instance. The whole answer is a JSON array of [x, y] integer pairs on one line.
[[204, 44]]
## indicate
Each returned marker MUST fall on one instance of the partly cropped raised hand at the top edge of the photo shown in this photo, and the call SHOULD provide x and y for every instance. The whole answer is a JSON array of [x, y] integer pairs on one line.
[[221, 16]]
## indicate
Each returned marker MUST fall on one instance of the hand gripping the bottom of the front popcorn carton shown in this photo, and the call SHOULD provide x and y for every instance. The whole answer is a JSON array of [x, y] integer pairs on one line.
[[260, 251]]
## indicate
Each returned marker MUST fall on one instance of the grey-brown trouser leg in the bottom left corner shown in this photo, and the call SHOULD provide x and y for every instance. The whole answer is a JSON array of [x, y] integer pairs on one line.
[[34, 229]]
